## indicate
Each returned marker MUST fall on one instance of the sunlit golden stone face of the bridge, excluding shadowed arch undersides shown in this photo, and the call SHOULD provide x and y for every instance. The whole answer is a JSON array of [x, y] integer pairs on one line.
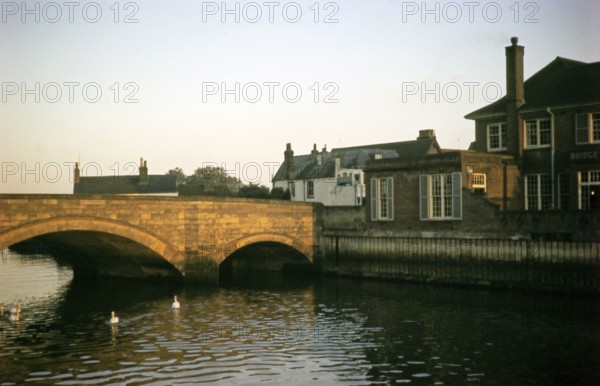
[[194, 234]]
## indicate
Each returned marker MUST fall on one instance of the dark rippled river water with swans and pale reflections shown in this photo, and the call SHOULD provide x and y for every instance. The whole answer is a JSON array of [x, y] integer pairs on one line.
[[273, 330]]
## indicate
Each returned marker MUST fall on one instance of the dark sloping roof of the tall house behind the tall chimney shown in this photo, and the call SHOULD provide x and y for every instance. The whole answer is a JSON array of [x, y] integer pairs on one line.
[[562, 82]]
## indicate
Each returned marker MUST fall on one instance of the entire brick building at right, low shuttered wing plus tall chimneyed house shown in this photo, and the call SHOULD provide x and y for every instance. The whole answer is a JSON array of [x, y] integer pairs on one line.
[[536, 150]]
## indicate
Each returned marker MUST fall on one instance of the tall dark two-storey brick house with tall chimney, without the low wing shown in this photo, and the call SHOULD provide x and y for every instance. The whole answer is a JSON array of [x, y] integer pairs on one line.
[[550, 124]]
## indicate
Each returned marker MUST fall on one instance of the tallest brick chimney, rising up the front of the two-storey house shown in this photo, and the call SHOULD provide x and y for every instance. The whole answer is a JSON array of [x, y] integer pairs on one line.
[[515, 96]]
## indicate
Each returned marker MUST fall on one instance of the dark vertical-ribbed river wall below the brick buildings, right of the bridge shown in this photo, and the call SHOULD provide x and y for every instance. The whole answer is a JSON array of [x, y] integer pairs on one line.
[[546, 265]]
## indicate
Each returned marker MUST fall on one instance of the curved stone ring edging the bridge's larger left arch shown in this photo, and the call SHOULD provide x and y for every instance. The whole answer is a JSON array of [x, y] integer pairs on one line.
[[60, 225]]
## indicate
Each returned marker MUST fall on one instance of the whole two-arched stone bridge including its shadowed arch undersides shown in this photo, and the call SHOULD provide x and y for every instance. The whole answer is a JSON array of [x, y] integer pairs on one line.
[[165, 237]]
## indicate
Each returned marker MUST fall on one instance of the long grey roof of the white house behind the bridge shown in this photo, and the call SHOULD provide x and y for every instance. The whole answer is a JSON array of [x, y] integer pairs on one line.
[[306, 167]]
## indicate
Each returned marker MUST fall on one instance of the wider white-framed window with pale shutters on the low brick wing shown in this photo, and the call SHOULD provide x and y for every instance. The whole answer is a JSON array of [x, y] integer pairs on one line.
[[440, 196]]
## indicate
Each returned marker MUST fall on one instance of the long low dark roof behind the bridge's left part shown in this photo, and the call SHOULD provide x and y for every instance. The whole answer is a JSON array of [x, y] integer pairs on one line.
[[157, 184]]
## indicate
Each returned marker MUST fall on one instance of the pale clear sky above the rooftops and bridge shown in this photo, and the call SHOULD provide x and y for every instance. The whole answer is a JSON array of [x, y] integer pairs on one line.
[[378, 62]]
